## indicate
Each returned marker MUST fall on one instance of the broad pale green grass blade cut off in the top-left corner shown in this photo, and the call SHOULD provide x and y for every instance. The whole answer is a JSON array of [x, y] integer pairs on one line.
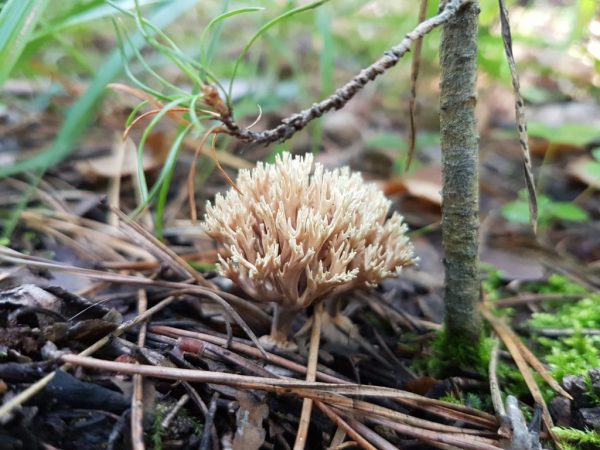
[[17, 21]]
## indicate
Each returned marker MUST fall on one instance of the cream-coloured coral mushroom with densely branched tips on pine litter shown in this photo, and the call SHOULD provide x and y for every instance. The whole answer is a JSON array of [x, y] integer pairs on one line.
[[298, 233]]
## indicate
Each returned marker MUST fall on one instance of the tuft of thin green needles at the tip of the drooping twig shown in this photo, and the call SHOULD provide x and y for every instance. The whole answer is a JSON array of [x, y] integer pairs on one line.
[[200, 105]]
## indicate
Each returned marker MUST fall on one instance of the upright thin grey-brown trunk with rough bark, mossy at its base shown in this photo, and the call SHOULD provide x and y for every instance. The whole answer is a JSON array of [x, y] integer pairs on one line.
[[460, 160]]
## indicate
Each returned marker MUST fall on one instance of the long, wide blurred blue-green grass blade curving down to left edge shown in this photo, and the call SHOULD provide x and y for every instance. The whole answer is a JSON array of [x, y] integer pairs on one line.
[[82, 112]]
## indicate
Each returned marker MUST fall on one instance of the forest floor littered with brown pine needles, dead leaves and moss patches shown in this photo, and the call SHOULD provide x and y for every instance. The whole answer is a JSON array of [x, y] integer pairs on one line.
[[111, 338]]
